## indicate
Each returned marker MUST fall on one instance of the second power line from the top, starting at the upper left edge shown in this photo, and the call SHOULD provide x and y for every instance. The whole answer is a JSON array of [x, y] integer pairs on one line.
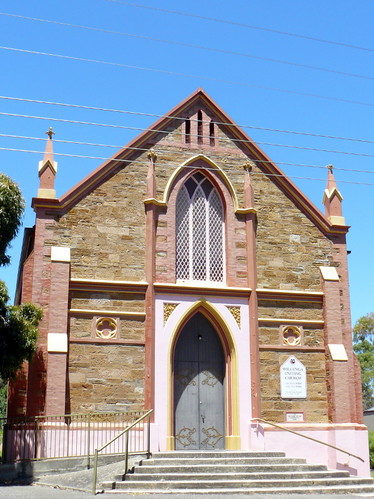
[[190, 45]]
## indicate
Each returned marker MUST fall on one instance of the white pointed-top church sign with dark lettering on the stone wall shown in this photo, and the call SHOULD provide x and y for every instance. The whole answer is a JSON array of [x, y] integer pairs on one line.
[[293, 379]]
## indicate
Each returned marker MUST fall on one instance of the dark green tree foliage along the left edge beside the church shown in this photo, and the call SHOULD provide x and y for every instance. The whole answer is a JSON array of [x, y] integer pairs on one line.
[[19, 323]]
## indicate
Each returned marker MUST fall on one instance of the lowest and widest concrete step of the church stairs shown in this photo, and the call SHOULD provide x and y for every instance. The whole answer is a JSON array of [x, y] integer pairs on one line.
[[240, 484]]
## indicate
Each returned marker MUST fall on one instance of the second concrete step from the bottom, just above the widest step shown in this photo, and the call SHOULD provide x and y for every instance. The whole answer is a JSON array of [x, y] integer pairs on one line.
[[235, 476]]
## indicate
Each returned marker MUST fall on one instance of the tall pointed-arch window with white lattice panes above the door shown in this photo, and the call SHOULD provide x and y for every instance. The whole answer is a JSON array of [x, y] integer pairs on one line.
[[199, 231]]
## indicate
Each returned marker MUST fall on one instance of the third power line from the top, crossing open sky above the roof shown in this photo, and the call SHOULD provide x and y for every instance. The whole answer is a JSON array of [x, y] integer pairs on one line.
[[186, 75]]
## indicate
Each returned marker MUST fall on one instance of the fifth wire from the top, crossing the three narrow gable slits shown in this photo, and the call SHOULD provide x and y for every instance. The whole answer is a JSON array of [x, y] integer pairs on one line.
[[62, 120]]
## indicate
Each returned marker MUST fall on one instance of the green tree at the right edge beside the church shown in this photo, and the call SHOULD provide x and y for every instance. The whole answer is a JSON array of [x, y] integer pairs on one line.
[[363, 346]]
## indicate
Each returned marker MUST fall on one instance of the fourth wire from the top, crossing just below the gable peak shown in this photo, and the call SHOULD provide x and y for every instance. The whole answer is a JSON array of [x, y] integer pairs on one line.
[[137, 113]]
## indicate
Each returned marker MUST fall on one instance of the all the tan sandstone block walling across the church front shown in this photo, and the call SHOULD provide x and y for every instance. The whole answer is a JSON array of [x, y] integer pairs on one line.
[[106, 233]]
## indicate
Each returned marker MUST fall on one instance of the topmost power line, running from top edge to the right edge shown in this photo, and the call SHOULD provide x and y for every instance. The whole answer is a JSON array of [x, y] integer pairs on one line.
[[248, 26]]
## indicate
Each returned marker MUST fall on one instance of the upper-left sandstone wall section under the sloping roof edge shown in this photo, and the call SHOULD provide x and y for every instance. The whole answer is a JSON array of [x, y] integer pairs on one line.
[[105, 230]]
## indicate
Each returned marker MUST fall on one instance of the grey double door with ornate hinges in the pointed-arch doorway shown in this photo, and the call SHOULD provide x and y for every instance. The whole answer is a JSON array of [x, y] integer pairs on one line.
[[199, 393]]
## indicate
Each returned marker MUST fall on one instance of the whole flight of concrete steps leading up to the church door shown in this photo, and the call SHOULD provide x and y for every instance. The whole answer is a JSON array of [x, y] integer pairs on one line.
[[194, 472]]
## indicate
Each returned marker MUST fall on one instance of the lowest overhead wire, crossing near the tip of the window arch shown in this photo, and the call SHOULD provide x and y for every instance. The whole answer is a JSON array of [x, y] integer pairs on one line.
[[144, 163]]
